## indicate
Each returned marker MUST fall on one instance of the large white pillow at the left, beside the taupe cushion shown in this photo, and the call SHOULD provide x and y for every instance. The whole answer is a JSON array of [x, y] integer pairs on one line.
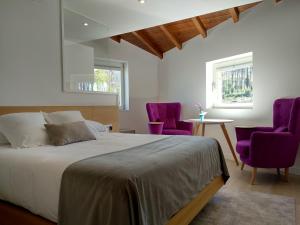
[[24, 129]]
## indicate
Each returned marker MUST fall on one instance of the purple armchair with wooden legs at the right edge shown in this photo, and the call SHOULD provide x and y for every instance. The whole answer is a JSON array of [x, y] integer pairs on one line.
[[272, 147]]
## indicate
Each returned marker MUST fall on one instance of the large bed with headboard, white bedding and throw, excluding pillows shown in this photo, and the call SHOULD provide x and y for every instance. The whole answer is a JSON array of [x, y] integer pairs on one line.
[[48, 195]]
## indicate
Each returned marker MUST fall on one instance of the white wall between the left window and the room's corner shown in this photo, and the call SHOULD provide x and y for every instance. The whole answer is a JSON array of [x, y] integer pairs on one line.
[[143, 79]]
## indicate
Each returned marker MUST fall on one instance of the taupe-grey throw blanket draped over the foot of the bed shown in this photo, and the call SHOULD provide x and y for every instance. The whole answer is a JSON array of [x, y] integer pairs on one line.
[[144, 185]]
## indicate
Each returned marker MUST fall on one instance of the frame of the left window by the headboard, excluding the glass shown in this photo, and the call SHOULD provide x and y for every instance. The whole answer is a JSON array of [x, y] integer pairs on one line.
[[122, 67]]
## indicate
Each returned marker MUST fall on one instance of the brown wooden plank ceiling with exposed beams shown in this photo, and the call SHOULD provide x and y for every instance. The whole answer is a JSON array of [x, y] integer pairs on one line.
[[160, 39]]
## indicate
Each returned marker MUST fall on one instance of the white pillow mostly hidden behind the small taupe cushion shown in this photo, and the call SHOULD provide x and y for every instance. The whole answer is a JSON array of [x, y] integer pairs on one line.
[[63, 117]]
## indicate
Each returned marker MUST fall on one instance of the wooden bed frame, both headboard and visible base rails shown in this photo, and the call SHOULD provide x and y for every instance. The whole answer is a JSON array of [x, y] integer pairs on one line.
[[13, 215]]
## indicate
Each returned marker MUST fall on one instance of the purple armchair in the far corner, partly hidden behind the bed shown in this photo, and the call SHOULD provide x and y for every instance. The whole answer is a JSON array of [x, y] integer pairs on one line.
[[169, 115]]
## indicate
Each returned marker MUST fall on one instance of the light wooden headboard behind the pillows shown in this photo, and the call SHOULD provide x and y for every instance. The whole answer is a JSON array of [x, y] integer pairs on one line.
[[102, 114]]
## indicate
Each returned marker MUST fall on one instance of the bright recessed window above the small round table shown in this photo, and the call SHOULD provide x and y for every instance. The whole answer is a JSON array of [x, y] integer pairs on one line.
[[230, 82]]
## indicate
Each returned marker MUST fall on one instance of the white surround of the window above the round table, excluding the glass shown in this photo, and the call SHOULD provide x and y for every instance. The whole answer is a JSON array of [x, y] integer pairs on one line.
[[212, 76]]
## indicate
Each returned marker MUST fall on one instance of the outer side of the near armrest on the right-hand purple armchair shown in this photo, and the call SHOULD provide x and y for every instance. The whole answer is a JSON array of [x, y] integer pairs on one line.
[[274, 150]]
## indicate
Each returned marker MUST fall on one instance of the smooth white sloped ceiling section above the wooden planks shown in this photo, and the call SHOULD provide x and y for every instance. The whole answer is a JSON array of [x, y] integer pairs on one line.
[[122, 16]]
